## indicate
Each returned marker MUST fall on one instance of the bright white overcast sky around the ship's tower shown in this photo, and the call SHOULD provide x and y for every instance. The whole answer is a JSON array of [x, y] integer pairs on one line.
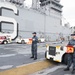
[[68, 10]]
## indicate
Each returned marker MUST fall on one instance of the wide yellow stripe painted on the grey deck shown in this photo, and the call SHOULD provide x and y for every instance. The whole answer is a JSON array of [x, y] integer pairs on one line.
[[28, 69]]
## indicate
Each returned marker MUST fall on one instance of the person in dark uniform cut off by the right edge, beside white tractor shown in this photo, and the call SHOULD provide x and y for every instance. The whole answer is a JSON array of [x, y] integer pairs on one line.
[[71, 56]]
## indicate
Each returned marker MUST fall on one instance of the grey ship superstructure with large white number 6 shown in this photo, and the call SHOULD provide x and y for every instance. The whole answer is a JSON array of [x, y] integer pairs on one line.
[[44, 17]]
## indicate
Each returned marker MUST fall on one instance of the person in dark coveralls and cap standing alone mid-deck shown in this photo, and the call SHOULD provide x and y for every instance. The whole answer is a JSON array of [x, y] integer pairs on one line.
[[34, 46]]
